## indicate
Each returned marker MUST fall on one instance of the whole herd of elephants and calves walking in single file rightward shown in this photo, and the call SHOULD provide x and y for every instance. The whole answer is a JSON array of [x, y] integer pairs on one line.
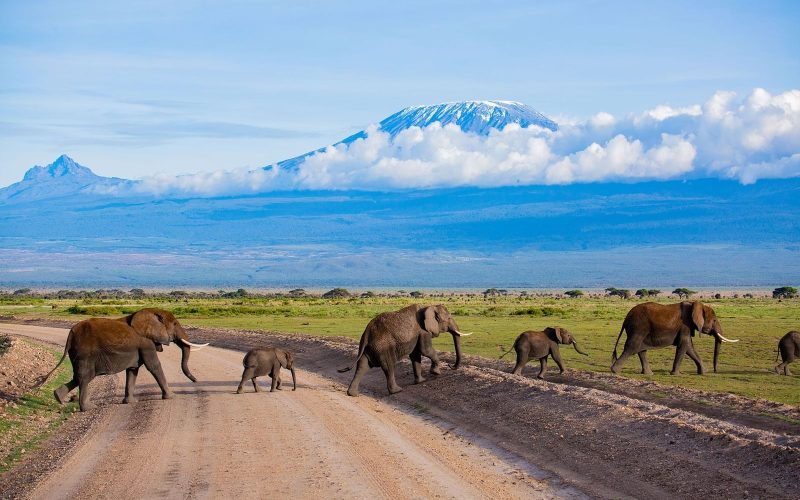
[[100, 346]]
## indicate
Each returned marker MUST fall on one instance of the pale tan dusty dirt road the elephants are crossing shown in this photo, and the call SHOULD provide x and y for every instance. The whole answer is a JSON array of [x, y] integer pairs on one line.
[[316, 442]]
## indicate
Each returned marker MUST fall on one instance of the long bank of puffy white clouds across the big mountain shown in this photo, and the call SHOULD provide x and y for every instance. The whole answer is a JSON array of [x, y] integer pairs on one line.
[[729, 136]]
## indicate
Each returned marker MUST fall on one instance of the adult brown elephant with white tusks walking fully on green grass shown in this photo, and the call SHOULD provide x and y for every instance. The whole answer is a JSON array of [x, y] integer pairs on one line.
[[651, 325]]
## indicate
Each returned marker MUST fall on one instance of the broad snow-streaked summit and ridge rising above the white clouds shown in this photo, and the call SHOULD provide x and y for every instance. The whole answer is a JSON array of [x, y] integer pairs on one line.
[[477, 117]]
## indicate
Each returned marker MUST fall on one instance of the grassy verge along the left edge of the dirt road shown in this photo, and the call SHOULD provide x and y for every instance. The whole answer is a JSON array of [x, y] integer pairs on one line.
[[36, 415]]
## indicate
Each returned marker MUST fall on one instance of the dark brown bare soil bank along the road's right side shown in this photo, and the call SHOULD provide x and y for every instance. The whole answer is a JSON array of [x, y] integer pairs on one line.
[[603, 440]]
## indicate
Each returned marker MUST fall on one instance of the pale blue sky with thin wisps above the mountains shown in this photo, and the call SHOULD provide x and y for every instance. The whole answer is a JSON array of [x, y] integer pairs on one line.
[[134, 89]]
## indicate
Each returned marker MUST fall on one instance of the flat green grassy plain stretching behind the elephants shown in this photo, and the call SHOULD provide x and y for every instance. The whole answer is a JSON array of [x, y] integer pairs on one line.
[[745, 367]]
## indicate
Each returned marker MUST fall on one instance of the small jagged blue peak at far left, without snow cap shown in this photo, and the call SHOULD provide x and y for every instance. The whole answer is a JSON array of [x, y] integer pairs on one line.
[[63, 177]]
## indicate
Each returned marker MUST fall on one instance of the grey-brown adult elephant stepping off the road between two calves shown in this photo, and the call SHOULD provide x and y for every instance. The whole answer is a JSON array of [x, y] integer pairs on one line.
[[408, 332]]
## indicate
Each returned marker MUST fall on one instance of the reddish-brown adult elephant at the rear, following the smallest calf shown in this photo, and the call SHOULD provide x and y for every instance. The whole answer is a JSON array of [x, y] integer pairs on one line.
[[101, 346]]
